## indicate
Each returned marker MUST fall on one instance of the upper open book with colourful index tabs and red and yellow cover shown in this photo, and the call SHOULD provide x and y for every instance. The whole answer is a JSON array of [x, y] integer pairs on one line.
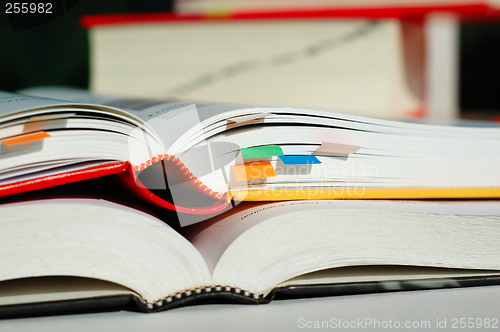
[[208, 154]]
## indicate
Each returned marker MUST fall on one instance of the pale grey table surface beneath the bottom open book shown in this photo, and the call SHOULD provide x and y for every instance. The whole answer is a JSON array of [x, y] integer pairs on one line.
[[427, 310]]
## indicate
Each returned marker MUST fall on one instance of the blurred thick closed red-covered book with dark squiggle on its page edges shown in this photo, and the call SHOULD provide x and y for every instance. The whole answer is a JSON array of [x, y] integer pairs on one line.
[[353, 66]]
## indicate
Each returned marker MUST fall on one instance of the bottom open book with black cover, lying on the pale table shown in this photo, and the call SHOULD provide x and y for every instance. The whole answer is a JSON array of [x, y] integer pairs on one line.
[[71, 254]]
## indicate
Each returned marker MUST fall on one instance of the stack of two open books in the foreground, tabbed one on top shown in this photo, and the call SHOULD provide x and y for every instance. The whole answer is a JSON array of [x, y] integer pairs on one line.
[[127, 202]]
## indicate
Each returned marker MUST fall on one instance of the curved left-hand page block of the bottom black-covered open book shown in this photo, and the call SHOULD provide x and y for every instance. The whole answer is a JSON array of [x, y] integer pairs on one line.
[[97, 239]]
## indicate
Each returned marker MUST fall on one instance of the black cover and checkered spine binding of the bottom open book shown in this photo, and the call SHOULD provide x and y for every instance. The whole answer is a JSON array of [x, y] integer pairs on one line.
[[222, 294]]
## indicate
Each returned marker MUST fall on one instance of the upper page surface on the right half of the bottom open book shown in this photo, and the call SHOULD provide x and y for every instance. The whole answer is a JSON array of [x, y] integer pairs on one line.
[[213, 239]]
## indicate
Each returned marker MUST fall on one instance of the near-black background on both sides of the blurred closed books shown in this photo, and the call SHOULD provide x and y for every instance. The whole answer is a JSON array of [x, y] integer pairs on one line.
[[53, 50]]
